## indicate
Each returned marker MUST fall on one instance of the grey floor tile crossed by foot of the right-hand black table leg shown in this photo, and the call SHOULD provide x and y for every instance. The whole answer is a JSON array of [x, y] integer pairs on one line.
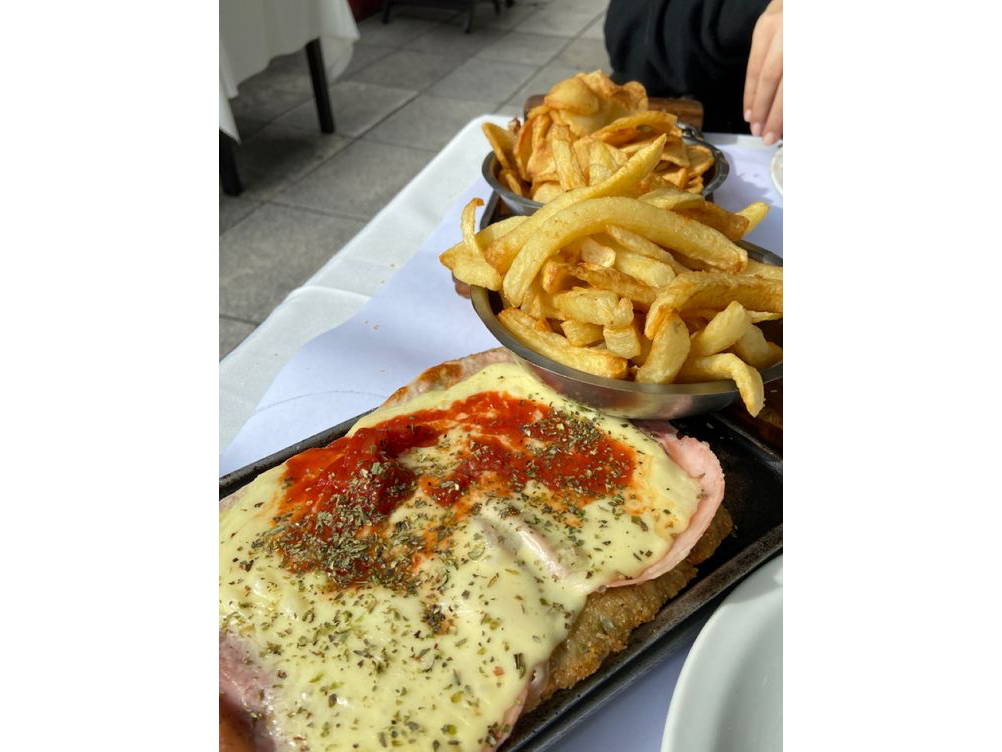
[[357, 108]]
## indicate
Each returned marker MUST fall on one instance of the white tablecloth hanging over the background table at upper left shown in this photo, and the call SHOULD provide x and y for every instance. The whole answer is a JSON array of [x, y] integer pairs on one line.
[[252, 33]]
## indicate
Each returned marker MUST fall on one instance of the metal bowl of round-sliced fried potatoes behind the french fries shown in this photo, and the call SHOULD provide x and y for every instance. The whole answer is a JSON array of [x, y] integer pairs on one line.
[[587, 129]]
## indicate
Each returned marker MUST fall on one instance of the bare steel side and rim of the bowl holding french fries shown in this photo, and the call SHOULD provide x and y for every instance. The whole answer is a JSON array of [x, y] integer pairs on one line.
[[627, 400]]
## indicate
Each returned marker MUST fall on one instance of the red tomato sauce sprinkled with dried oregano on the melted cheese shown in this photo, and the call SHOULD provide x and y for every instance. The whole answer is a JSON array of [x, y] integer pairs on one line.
[[340, 496]]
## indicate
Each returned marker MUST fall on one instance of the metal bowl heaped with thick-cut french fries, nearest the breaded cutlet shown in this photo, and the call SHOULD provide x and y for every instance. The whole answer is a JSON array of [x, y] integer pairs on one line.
[[643, 307]]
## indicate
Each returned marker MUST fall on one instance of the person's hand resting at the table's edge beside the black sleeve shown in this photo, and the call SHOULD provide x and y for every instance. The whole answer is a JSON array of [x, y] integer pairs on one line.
[[764, 83]]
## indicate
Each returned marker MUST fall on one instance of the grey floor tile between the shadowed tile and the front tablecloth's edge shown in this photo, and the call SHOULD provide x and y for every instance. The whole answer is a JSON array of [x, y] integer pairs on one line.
[[359, 181]]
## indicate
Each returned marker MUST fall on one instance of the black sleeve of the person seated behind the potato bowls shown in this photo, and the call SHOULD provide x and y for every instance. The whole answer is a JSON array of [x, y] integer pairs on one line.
[[686, 48]]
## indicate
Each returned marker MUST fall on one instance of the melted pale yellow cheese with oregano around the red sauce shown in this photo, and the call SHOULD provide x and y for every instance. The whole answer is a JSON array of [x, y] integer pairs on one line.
[[364, 667]]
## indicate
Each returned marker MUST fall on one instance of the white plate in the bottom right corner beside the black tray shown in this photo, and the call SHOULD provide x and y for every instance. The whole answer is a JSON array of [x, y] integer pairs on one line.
[[730, 694]]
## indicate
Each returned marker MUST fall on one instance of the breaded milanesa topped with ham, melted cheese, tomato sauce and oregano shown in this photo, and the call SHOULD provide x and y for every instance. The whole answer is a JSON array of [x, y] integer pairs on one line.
[[465, 551]]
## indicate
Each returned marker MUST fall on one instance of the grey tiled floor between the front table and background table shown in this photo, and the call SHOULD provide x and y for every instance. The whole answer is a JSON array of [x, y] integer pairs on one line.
[[410, 87]]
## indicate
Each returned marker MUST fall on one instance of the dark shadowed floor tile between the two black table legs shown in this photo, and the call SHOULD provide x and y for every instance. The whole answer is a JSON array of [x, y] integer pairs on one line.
[[279, 156]]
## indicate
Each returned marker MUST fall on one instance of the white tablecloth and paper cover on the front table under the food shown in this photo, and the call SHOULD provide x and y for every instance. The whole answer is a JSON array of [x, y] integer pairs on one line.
[[383, 310]]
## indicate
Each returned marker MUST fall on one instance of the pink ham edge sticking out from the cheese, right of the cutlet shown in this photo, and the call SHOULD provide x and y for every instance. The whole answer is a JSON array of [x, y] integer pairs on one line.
[[699, 462]]
